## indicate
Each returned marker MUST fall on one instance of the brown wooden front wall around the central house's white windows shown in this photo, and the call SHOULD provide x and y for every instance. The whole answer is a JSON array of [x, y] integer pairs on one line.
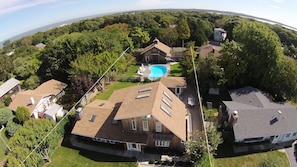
[[175, 142]]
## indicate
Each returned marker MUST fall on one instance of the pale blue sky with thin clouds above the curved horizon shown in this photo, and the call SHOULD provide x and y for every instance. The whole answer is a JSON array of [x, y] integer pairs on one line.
[[19, 16]]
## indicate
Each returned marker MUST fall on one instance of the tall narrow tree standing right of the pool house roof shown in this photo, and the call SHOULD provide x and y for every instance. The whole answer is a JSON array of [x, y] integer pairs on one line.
[[183, 29]]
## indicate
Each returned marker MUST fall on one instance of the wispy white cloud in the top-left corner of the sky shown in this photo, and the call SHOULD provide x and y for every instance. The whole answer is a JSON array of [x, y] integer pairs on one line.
[[9, 6]]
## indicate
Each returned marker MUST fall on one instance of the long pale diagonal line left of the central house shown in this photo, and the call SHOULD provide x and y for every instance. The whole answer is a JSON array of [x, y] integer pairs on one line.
[[73, 107]]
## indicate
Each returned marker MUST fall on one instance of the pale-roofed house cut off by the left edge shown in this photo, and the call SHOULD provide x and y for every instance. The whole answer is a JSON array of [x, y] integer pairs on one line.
[[9, 88]]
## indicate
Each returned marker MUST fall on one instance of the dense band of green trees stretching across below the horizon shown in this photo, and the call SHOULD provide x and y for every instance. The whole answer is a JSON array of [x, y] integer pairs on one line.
[[79, 52]]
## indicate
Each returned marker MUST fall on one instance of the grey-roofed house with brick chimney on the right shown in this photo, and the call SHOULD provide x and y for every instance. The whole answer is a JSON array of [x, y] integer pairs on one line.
[[254, 117]]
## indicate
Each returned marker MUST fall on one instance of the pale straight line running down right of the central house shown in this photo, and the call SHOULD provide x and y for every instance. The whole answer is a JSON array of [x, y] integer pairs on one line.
[[201, 110]]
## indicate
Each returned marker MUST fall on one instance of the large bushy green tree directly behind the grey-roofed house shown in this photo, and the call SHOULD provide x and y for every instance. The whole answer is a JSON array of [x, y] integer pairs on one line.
[[261, 50]]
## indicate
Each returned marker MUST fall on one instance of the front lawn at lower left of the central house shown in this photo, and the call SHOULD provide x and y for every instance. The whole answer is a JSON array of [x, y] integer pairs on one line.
[[64, 156]]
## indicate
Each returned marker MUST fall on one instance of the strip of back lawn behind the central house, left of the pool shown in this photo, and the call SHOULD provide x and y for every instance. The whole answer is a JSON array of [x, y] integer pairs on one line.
[[112, 87]]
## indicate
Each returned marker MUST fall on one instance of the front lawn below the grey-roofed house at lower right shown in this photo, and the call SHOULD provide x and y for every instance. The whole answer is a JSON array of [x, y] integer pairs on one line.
[[253, 160]]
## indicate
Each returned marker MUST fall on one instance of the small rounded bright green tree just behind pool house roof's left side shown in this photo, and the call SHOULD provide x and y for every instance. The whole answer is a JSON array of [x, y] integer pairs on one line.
[[139, 37]]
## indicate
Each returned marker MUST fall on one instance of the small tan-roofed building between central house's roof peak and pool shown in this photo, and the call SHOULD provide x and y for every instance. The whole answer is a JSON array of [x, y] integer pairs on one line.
[[176, 84]]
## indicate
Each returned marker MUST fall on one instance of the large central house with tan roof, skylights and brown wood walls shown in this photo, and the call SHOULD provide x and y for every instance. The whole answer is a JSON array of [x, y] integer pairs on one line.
[[134, 118]]
